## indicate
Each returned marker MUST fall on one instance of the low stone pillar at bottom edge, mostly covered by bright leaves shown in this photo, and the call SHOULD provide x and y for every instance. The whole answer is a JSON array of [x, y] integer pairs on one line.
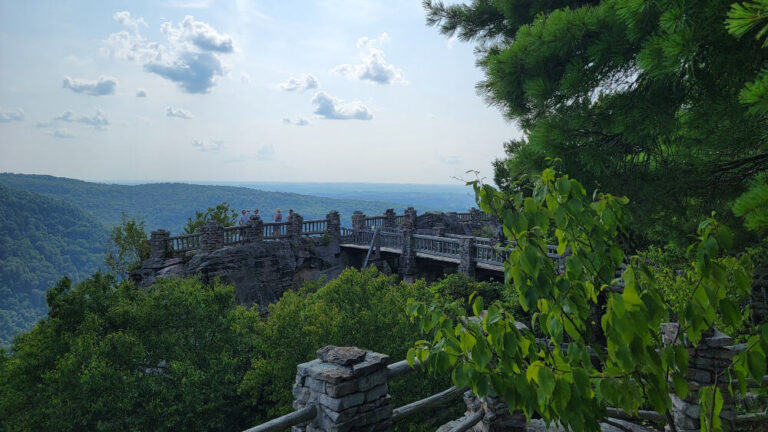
[[497, 417]]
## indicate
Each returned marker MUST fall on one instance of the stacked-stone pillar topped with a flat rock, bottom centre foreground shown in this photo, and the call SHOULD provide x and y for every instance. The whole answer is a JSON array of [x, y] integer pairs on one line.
[[349, 388]]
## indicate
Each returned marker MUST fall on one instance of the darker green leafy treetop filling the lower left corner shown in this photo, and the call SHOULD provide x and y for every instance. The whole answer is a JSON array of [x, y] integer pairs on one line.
[[112, 357]]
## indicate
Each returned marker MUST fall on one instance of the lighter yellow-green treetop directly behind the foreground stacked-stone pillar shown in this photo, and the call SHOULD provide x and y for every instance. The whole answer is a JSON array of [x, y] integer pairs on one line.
[[301, 322]]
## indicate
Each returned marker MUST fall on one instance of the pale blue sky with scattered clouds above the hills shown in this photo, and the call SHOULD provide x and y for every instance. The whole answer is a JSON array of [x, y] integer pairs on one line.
[[197, 90]]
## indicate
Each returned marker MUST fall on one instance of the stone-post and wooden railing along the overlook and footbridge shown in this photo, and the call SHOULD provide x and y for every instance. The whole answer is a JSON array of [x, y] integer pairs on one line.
[[446, 238]]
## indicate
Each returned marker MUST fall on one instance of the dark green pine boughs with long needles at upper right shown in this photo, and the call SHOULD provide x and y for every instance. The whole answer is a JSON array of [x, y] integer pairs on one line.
[[636, 98]]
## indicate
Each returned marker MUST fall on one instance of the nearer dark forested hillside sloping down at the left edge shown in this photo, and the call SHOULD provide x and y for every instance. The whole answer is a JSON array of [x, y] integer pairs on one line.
[[41, 240]]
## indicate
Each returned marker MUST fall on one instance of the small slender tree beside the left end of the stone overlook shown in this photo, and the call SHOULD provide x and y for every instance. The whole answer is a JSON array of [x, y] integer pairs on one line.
[[127, 247]]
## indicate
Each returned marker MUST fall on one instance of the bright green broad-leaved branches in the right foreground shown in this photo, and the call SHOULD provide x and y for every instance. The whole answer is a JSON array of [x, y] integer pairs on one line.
[[572, 383]]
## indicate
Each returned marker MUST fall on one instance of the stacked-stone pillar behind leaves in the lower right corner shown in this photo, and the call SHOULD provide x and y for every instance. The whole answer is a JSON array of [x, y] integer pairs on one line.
[[707, 364]]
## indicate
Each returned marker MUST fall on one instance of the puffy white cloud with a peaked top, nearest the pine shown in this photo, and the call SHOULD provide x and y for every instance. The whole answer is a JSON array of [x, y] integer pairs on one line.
[[373, 66]]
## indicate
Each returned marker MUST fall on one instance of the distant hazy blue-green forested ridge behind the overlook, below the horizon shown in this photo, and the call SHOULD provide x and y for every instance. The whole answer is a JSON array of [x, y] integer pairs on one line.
[[168, 205]]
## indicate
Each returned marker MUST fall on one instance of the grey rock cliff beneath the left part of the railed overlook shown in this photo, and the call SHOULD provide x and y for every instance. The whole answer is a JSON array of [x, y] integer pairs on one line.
[[261, 272]]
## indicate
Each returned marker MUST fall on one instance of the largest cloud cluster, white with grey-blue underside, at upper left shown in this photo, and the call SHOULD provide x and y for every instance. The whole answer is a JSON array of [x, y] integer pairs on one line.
[[190, 59]]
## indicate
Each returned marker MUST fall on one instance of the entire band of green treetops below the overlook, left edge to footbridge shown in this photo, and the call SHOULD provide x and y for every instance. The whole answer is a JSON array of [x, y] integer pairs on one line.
[[182, 355]]
